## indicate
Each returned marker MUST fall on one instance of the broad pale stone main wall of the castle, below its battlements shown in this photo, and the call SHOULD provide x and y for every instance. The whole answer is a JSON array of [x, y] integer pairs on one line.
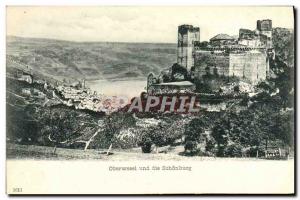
[[249, 65]]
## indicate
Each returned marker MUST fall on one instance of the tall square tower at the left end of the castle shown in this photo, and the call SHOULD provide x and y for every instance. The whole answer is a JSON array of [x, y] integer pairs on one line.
[[187, 36]]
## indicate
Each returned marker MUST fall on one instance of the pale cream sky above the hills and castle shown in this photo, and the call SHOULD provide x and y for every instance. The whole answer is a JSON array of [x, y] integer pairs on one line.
[[137, 24]]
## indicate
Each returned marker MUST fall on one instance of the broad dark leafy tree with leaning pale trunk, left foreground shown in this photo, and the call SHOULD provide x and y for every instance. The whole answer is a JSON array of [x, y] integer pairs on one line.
[[65, 127]]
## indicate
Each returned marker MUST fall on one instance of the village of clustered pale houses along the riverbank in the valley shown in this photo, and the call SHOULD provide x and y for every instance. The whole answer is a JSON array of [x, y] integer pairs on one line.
[[73, 94]]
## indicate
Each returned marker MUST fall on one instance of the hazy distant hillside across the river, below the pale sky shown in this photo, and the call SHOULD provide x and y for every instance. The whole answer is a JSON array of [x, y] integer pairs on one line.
[[91, 60]]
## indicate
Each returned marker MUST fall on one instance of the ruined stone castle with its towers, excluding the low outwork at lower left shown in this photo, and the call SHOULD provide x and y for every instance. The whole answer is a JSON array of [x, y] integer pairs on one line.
[[246, 57]]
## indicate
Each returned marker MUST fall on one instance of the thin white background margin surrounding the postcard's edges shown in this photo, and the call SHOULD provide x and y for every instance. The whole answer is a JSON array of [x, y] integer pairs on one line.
[[4, 3]]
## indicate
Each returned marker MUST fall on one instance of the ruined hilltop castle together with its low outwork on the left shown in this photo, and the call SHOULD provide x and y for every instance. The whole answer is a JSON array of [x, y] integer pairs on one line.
[[246, 57]]
